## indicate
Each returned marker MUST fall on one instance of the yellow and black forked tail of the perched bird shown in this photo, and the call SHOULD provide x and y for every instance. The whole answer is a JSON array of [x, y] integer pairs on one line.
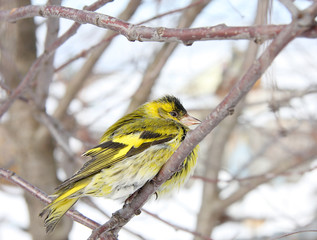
[[59, 206]]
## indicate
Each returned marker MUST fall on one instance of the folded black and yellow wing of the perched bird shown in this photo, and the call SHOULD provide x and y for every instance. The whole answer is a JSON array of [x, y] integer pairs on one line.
[[128, 140]]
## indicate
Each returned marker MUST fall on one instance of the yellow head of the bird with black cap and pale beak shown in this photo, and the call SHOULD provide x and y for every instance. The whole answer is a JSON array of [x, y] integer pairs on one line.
[[169, 107]]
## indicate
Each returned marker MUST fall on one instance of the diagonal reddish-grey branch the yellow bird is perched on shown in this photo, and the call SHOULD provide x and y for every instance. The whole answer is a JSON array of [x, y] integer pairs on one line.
[[122, 216]]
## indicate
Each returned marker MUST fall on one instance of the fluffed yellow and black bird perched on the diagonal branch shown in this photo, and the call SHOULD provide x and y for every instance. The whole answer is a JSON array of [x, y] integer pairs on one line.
[[131, 152]]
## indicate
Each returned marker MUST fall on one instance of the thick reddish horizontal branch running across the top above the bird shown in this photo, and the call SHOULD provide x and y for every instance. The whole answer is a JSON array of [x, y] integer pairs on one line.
[[135, 32]]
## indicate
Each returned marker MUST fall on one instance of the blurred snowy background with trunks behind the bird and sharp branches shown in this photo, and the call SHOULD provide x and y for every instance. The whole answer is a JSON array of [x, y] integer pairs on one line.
[[256, 175]]
